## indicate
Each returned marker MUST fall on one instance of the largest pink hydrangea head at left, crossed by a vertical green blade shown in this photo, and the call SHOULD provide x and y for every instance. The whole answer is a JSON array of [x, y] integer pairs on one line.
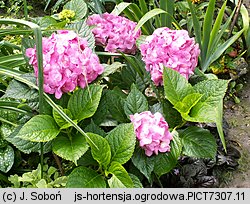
[[68, 62]]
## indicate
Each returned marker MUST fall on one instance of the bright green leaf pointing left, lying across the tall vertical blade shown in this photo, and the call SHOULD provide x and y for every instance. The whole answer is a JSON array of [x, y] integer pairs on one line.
[[40, 128]]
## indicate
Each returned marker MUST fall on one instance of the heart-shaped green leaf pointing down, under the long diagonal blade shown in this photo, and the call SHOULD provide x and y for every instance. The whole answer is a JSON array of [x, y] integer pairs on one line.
[[70, 148]]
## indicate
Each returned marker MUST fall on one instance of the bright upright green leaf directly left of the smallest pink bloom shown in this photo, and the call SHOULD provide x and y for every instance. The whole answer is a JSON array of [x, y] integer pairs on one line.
[[122, 142]]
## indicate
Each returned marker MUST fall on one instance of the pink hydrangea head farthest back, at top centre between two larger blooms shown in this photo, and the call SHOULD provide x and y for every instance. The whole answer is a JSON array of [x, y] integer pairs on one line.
[[114, 32]]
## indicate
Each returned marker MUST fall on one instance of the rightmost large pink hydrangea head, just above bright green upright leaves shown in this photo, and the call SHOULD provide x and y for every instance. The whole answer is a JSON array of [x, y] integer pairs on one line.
[[170, 48]]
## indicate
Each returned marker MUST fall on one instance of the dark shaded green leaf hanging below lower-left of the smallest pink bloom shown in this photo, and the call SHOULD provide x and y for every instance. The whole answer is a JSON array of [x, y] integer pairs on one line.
[[142, 162]]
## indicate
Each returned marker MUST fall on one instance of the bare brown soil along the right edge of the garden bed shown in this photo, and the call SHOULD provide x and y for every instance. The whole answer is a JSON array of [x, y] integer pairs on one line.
[[238, 118]]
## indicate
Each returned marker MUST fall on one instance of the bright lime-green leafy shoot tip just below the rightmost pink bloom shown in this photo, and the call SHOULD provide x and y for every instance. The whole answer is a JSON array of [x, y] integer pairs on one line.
[[206, 97]]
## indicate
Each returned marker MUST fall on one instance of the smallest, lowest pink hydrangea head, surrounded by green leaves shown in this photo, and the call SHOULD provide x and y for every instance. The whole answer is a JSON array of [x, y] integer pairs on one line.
[[152, 132]]
